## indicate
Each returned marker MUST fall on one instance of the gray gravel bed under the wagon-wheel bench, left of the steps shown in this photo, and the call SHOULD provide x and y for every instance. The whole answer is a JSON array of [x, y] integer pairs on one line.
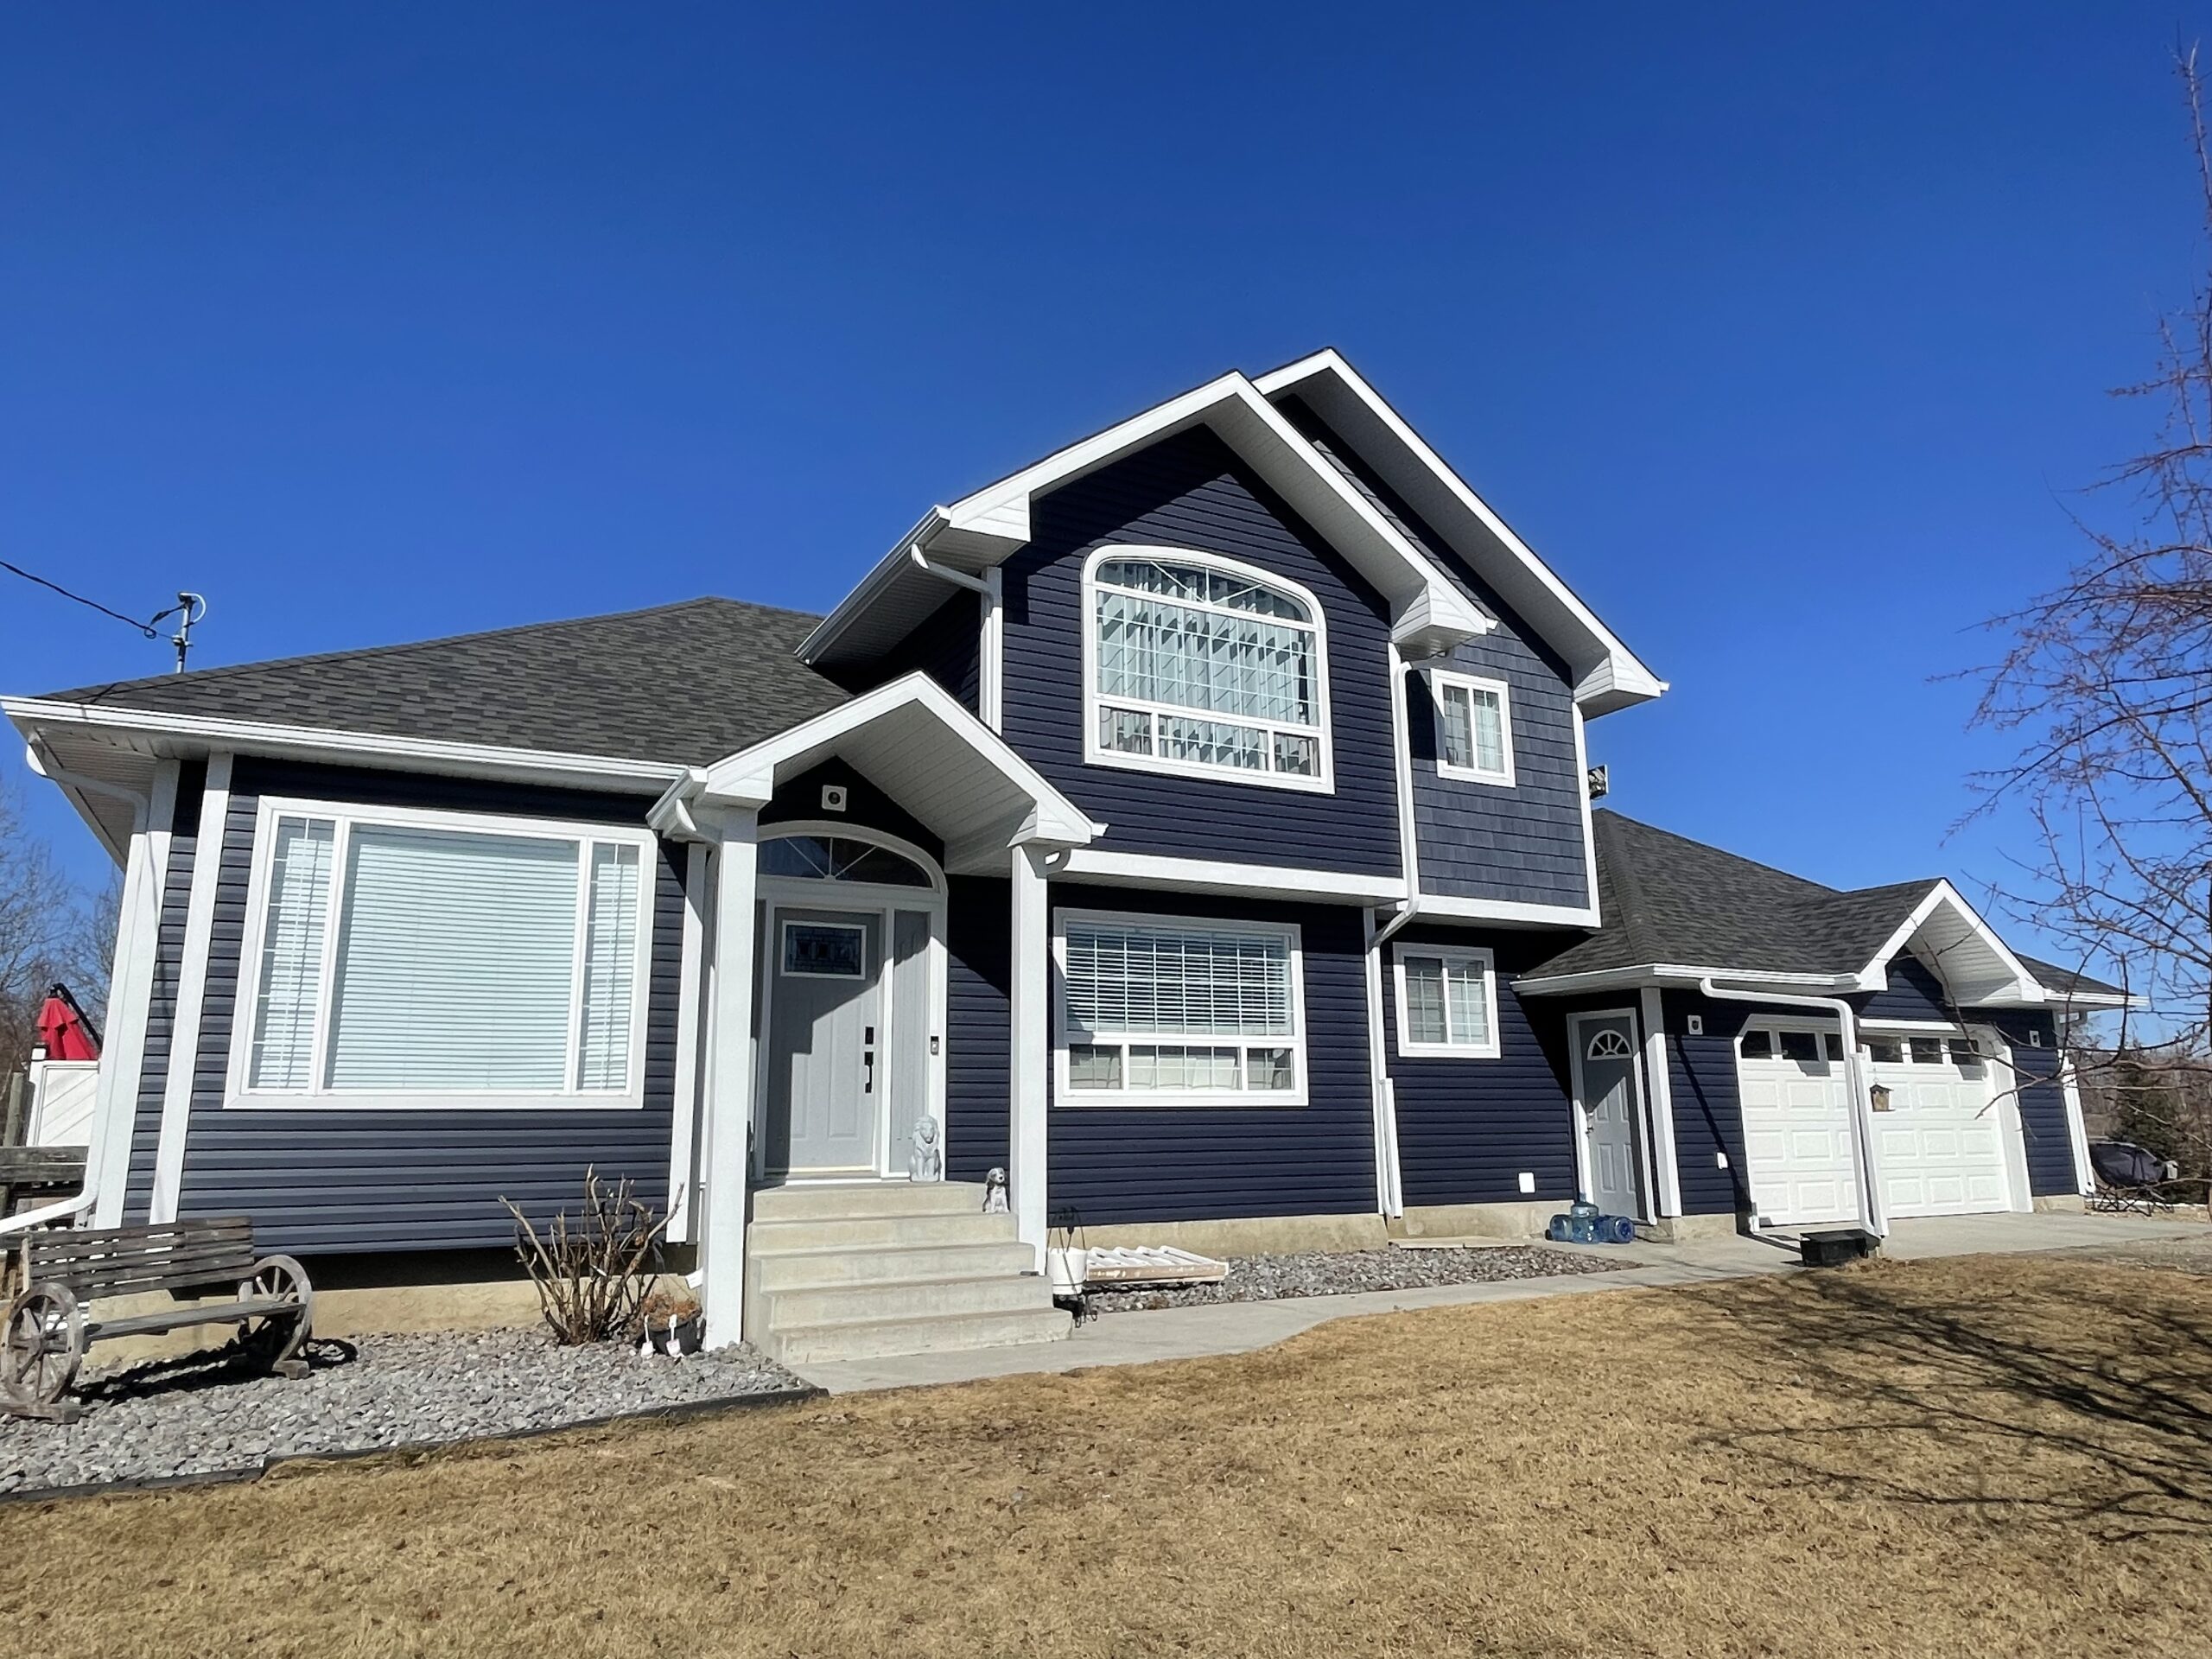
[[207, 1412]]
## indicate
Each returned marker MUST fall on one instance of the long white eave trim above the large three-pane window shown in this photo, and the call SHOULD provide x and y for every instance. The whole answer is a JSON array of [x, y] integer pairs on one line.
[[169, 735]]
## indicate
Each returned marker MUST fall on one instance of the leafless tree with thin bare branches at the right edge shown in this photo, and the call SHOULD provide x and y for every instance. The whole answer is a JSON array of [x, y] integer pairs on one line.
[[2107, 687]]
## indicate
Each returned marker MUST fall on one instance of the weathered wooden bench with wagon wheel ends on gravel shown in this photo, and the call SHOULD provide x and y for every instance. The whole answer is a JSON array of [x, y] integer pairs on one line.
[[48, 1328]]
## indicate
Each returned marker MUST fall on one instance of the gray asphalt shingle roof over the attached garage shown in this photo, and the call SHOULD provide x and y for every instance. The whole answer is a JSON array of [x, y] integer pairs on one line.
[[1669, 899]]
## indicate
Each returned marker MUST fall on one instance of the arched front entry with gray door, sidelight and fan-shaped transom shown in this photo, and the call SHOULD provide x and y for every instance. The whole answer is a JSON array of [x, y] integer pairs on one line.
[[853, 1003]]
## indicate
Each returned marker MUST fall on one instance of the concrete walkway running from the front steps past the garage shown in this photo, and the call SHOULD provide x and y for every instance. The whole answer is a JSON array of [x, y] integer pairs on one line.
[[1240, 1328]]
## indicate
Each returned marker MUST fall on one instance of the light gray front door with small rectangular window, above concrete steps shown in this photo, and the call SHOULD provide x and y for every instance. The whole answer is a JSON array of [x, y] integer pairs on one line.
[[824, 1025]]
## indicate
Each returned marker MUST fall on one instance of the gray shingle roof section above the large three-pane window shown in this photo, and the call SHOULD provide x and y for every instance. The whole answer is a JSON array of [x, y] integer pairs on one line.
[[682, 685]]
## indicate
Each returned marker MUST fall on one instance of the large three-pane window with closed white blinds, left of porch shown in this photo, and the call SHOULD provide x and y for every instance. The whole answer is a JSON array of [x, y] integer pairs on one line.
[[419, 959]]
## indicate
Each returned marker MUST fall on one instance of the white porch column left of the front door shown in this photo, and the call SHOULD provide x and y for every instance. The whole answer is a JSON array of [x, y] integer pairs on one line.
[[729, 1103]]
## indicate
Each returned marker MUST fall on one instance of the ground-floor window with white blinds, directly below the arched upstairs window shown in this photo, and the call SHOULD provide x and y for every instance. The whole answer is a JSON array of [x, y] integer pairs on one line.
[[1169, 1012]]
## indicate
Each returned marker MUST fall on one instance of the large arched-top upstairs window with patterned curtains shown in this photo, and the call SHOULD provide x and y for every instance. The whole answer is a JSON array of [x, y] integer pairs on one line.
[[1204, 667]]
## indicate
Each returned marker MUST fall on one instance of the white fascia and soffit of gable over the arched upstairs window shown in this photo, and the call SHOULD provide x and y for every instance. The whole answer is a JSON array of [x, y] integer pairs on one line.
[[977, 532]]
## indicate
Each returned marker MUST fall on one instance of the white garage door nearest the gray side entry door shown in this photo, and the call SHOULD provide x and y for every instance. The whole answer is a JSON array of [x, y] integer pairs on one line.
[[1797, 1127]]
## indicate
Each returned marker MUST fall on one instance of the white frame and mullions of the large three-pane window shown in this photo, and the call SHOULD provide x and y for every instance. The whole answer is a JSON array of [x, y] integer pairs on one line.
[[346, 817]]
